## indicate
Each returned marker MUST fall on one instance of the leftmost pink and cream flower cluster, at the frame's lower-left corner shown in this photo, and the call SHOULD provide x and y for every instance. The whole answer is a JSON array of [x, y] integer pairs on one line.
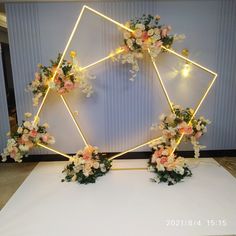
[[25, 138]]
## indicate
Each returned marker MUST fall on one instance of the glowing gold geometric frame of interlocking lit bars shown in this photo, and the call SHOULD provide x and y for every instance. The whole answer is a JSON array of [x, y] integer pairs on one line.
[[104, 59]]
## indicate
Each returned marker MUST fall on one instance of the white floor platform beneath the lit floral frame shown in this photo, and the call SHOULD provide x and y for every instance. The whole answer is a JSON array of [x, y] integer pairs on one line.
[[124, 203]]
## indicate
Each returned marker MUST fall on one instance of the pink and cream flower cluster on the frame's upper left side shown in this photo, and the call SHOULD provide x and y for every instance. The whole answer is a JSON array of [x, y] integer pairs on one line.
[[68, 77]]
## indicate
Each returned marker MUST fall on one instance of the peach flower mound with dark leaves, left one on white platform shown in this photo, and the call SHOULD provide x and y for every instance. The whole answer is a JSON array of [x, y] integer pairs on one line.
[[86, 166]]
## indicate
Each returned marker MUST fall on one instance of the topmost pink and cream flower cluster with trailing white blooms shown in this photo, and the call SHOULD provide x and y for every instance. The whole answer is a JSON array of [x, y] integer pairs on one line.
[[148, 35]]
